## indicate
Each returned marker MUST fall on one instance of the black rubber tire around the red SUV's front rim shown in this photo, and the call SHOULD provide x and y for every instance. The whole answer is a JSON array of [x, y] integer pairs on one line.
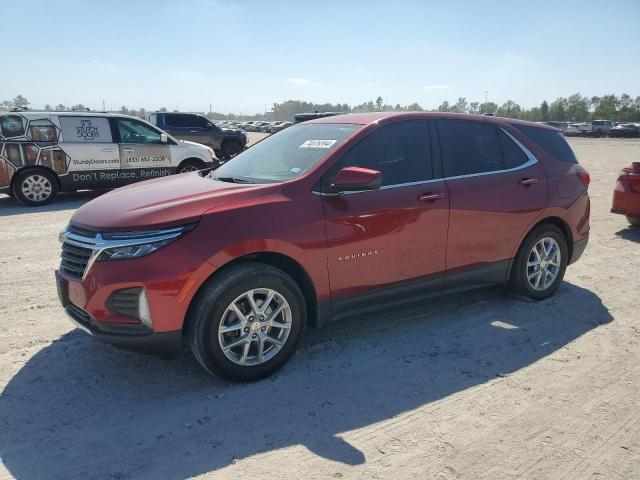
[[211, 303]]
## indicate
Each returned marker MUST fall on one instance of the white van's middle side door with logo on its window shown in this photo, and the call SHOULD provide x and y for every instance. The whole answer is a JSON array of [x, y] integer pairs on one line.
[[88, 147]]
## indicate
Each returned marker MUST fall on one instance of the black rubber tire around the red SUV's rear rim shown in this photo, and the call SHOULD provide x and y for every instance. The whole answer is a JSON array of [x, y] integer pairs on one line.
[[519, 281]]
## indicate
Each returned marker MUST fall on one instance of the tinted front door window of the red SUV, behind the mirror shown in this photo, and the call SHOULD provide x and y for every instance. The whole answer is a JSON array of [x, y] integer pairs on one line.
[[401, 152]]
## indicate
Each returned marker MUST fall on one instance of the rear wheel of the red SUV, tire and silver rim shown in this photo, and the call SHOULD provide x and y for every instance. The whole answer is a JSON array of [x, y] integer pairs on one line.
[[539, 266]]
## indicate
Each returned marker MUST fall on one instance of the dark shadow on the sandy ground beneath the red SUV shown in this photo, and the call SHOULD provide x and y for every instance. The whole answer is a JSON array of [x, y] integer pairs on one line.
[[82, 409]]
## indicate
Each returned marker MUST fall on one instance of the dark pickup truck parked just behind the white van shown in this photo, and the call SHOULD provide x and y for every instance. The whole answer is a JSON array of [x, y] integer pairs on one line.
[[196, 128]]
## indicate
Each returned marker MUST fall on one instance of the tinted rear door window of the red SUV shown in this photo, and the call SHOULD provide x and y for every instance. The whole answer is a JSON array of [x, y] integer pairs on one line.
[[469, 147]]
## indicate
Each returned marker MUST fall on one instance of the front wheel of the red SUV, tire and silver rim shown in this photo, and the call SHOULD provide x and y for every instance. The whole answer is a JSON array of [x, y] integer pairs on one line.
[[246, 323]]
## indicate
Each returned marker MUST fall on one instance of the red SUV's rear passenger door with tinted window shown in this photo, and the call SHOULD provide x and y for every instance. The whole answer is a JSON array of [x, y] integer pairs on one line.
[[497, 189]]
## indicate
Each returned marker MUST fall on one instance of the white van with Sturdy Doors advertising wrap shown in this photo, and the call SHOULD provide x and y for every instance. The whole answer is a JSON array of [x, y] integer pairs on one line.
[[42, 153]]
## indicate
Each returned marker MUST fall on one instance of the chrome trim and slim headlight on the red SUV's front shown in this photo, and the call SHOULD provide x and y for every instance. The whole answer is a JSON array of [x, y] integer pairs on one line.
[[98, 244]]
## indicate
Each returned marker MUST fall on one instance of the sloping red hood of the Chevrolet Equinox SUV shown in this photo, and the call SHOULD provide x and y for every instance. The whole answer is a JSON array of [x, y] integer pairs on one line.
[[162, 202]]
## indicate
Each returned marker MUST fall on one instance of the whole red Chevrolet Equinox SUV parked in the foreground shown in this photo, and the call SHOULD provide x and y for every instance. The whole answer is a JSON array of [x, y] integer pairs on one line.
[[319, 221]]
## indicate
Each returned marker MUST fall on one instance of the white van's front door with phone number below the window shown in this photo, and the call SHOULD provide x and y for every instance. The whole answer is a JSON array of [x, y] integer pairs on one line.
[[142, 153]]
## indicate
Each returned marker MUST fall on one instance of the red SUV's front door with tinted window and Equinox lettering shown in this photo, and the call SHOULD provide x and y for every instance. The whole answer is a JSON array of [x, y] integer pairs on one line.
[[394, 236]]
